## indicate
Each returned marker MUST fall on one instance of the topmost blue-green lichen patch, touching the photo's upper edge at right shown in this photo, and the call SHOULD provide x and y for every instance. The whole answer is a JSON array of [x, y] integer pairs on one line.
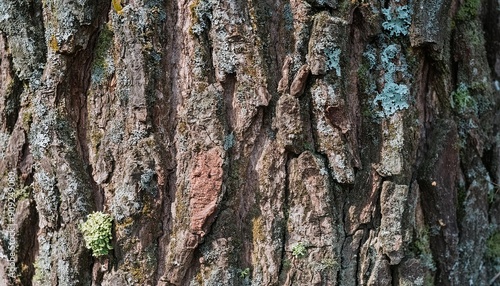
[[397, 20]]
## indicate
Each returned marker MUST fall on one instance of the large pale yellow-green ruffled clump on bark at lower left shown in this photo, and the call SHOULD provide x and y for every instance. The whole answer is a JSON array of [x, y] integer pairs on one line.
[[97, 233]]
